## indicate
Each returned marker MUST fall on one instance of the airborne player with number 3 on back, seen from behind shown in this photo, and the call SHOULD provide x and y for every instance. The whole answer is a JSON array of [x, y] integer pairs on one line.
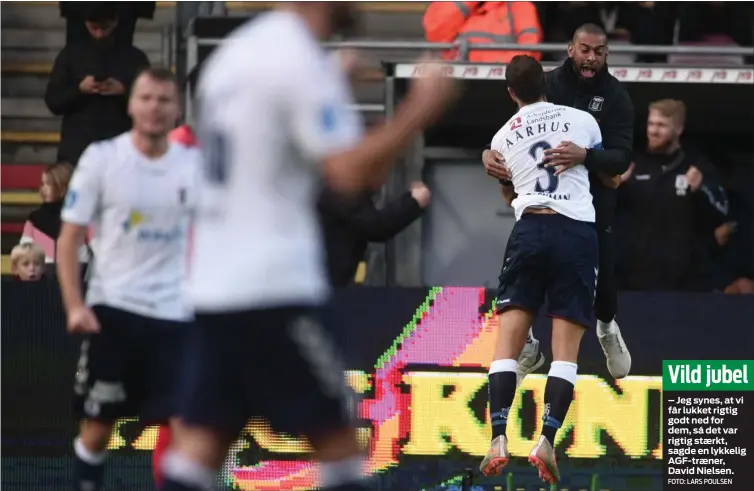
[[551, 253]]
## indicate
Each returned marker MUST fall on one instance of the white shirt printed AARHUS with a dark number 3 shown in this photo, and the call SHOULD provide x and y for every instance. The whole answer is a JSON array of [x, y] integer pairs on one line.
[[523, 140]]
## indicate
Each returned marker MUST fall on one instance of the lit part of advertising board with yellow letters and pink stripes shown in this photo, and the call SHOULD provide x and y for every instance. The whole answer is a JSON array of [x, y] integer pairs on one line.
[[426, 398]]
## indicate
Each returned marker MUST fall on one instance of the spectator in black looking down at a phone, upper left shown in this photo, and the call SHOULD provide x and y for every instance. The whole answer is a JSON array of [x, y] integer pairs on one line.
[[89, 85]]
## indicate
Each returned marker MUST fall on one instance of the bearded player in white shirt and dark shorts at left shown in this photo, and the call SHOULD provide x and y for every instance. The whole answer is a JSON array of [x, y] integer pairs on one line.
[[137, 192]]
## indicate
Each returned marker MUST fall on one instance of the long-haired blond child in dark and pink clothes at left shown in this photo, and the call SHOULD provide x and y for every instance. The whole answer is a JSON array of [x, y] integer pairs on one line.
[[43, 226]]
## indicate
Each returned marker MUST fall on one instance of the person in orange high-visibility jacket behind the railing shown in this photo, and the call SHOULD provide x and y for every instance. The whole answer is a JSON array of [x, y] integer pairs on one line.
[[484, 23]]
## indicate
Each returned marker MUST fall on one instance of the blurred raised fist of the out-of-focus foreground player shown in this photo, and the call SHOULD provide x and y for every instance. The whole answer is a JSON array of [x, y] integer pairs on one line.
[[432, 91]]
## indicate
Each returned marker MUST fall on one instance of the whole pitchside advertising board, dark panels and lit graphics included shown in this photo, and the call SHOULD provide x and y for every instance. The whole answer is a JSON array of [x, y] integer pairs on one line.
[[417, 358]]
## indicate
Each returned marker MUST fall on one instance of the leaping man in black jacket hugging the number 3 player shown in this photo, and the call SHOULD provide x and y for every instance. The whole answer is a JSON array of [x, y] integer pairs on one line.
[[583, 82]]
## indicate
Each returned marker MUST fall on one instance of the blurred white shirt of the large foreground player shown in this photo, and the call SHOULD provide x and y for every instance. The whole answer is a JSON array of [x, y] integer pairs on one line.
[[271, 106]]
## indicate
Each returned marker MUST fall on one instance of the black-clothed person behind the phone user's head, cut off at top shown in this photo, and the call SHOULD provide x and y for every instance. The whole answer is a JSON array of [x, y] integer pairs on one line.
[[128, 13]]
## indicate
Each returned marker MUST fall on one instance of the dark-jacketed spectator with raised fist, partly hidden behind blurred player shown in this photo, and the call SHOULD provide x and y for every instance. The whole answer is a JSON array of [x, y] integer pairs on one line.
[[350, 223]]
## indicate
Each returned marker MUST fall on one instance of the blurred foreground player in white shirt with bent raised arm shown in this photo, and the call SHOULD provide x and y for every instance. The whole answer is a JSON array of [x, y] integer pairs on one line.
[[270, 122]]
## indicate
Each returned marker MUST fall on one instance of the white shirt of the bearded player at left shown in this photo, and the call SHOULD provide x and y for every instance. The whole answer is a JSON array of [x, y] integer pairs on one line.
[[140, 210]]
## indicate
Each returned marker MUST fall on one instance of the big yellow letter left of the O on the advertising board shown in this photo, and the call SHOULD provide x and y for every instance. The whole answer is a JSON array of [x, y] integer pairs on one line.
[[435, 416]]
